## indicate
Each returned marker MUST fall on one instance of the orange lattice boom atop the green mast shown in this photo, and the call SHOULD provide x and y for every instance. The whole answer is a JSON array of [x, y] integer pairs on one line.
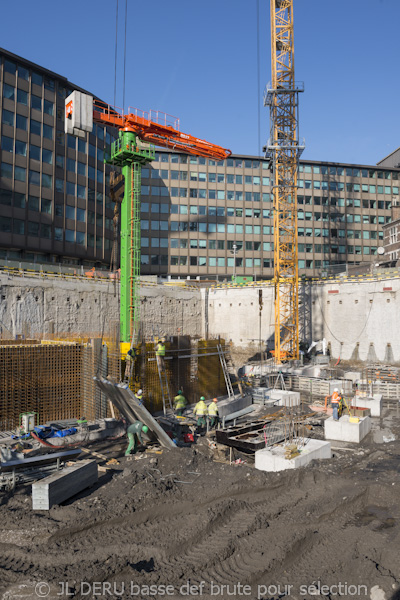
[[164, 133]]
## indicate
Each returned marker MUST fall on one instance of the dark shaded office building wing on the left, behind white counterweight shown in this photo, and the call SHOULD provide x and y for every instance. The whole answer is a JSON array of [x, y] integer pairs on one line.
[[54, 189]]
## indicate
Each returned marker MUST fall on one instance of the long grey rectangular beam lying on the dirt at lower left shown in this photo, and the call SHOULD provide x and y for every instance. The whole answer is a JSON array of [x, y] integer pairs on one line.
[[64, 484]]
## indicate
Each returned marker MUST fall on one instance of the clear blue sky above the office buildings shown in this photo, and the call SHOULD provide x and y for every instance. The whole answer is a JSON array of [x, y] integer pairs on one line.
[[197, 60]]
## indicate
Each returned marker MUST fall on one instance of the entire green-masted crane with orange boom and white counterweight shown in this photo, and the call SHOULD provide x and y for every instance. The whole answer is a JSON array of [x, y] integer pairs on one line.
[[138, 134]]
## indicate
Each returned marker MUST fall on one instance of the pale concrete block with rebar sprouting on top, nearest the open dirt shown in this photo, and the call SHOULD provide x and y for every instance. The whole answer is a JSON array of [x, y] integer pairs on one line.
[[273, 459]]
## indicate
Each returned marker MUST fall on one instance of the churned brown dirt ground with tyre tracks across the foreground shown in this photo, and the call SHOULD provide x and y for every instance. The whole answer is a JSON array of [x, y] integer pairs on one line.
[[178, 525]]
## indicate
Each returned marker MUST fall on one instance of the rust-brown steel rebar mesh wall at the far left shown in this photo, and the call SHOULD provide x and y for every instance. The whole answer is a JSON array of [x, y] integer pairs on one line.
[[55, 379]]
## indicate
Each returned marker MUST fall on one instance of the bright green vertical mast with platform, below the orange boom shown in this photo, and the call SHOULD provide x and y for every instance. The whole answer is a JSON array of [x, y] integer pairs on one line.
[[130, 154]]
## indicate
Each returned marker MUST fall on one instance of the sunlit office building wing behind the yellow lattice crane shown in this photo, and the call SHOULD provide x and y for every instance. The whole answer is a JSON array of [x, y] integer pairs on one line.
[[195, 210]]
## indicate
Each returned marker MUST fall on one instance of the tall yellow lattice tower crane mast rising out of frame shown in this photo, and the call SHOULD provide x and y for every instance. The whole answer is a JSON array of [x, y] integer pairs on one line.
[[283, 151]]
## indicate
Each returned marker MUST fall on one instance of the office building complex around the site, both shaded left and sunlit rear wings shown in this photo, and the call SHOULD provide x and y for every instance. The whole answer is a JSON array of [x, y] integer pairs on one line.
[[200, 218]]
